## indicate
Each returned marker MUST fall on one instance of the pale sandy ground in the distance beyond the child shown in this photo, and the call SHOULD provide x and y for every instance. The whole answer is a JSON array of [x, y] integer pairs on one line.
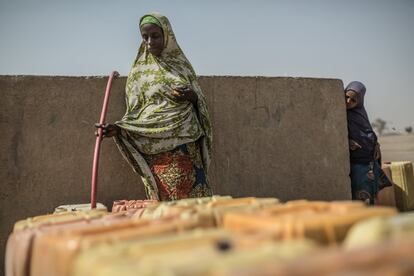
[[397, 147]]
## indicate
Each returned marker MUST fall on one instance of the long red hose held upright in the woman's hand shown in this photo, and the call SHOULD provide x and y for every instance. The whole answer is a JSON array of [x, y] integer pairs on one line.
[[95, 165]]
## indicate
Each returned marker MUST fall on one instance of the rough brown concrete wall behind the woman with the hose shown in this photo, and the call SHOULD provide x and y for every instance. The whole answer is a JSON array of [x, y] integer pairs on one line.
[[282, 137]]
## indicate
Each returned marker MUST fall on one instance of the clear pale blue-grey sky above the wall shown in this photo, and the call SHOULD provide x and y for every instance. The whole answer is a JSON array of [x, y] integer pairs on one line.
[[367, 40]]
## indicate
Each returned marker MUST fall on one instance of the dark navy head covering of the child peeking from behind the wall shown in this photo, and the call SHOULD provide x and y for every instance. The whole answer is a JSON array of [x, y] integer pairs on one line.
[[359, 127]]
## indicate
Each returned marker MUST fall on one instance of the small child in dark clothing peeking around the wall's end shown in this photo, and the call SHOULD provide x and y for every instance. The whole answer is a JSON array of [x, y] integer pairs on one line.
[[367, 177]]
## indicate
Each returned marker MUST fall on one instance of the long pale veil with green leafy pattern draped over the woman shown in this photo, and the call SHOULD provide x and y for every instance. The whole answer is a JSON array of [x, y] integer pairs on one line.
[[154, 121]]
